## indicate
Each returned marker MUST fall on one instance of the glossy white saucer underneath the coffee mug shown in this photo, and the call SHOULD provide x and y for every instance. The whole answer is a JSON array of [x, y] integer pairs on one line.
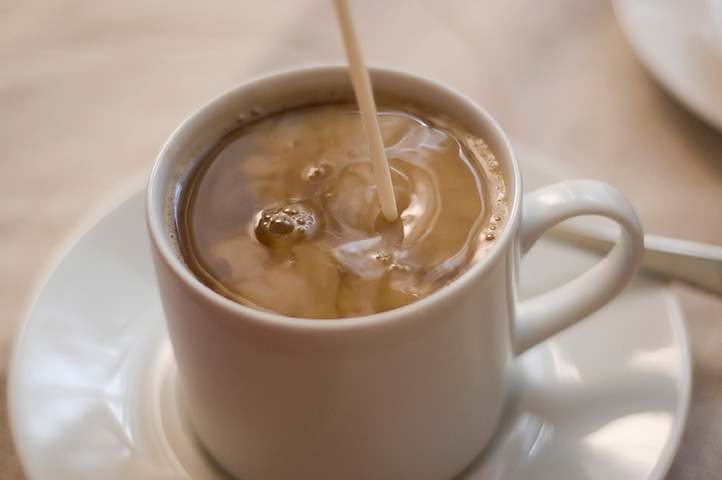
[[92, 388]]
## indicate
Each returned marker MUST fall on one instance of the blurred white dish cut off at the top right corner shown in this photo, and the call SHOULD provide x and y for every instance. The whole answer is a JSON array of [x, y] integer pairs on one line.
[[680, 42]]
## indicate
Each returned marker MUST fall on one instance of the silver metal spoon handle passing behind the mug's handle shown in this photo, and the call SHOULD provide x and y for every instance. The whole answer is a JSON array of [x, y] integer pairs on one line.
[[695, 263]]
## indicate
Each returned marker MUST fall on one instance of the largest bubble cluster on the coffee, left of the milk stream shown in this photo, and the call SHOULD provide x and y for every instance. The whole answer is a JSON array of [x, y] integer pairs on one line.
[[286, 224]]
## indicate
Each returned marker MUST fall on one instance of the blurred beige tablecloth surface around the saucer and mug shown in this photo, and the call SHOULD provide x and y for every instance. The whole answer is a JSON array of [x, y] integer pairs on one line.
[[90, 91]]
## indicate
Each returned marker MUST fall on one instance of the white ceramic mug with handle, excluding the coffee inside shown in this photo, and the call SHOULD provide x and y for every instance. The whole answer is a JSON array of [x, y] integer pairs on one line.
[[411, 393]]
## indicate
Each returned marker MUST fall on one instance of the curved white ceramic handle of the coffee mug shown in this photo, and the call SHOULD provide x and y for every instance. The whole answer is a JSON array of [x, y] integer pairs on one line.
[[544, 315]]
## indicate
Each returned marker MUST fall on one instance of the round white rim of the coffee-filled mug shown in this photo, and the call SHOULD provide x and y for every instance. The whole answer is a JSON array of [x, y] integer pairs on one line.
[[165, 165]]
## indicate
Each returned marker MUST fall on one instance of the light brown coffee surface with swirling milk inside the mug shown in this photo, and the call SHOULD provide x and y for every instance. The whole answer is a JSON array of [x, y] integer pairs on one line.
[[284, 216]]
